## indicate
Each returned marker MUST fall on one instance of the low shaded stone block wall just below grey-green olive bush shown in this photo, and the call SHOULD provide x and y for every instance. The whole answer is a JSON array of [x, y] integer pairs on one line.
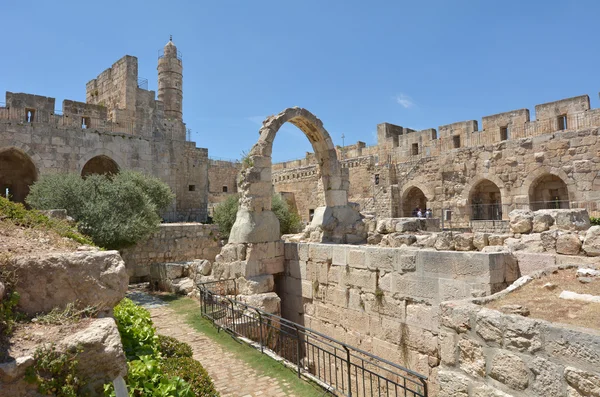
[[173, 242]]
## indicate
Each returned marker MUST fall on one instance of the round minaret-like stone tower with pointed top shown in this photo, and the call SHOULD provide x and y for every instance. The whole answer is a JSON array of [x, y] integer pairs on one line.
[[170, 79]]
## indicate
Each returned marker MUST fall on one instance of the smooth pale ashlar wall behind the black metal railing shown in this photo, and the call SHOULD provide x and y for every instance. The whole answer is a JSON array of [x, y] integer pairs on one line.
[[385, 300]]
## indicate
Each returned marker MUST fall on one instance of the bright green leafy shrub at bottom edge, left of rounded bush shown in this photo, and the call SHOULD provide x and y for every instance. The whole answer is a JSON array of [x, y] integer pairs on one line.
[[146, 377]]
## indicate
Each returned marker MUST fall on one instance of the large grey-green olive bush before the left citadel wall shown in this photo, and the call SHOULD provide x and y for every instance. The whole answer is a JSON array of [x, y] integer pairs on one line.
[[116, 211]]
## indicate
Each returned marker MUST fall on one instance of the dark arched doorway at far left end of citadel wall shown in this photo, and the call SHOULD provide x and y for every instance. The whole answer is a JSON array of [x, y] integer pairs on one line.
[[17, 173]]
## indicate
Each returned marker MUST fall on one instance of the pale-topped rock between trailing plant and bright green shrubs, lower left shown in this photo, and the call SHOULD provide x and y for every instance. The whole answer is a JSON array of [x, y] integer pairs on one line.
[[102, 358]]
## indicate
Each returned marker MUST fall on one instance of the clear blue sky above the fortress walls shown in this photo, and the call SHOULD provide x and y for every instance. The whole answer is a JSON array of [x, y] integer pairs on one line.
[[354, 64]]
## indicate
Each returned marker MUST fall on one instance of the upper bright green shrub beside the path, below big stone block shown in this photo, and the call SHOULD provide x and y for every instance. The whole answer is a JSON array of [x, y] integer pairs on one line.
[[137, 332]]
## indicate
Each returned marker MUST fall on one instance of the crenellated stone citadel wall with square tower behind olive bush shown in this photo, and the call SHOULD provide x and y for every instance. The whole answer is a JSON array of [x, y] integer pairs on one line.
[[121, 126]]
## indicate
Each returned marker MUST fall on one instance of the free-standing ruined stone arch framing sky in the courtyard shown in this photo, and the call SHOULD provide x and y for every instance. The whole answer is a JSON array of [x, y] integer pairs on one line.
[[255, 222]]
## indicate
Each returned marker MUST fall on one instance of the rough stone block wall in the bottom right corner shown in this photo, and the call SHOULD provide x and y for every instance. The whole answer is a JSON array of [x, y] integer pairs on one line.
[[487, 353]]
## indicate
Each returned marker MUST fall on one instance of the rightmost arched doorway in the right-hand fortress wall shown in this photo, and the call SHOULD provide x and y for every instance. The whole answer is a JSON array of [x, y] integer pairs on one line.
[[548, 191]]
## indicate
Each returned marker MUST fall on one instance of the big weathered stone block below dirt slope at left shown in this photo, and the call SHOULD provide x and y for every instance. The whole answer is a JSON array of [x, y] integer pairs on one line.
[[54, 280]]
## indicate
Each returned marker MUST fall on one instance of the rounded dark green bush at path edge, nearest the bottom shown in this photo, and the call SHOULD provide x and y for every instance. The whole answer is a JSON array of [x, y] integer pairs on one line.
[[193, 373]]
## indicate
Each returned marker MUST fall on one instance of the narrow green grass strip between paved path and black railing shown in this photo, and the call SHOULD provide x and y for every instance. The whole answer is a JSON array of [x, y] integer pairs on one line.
[[190, 309]]
